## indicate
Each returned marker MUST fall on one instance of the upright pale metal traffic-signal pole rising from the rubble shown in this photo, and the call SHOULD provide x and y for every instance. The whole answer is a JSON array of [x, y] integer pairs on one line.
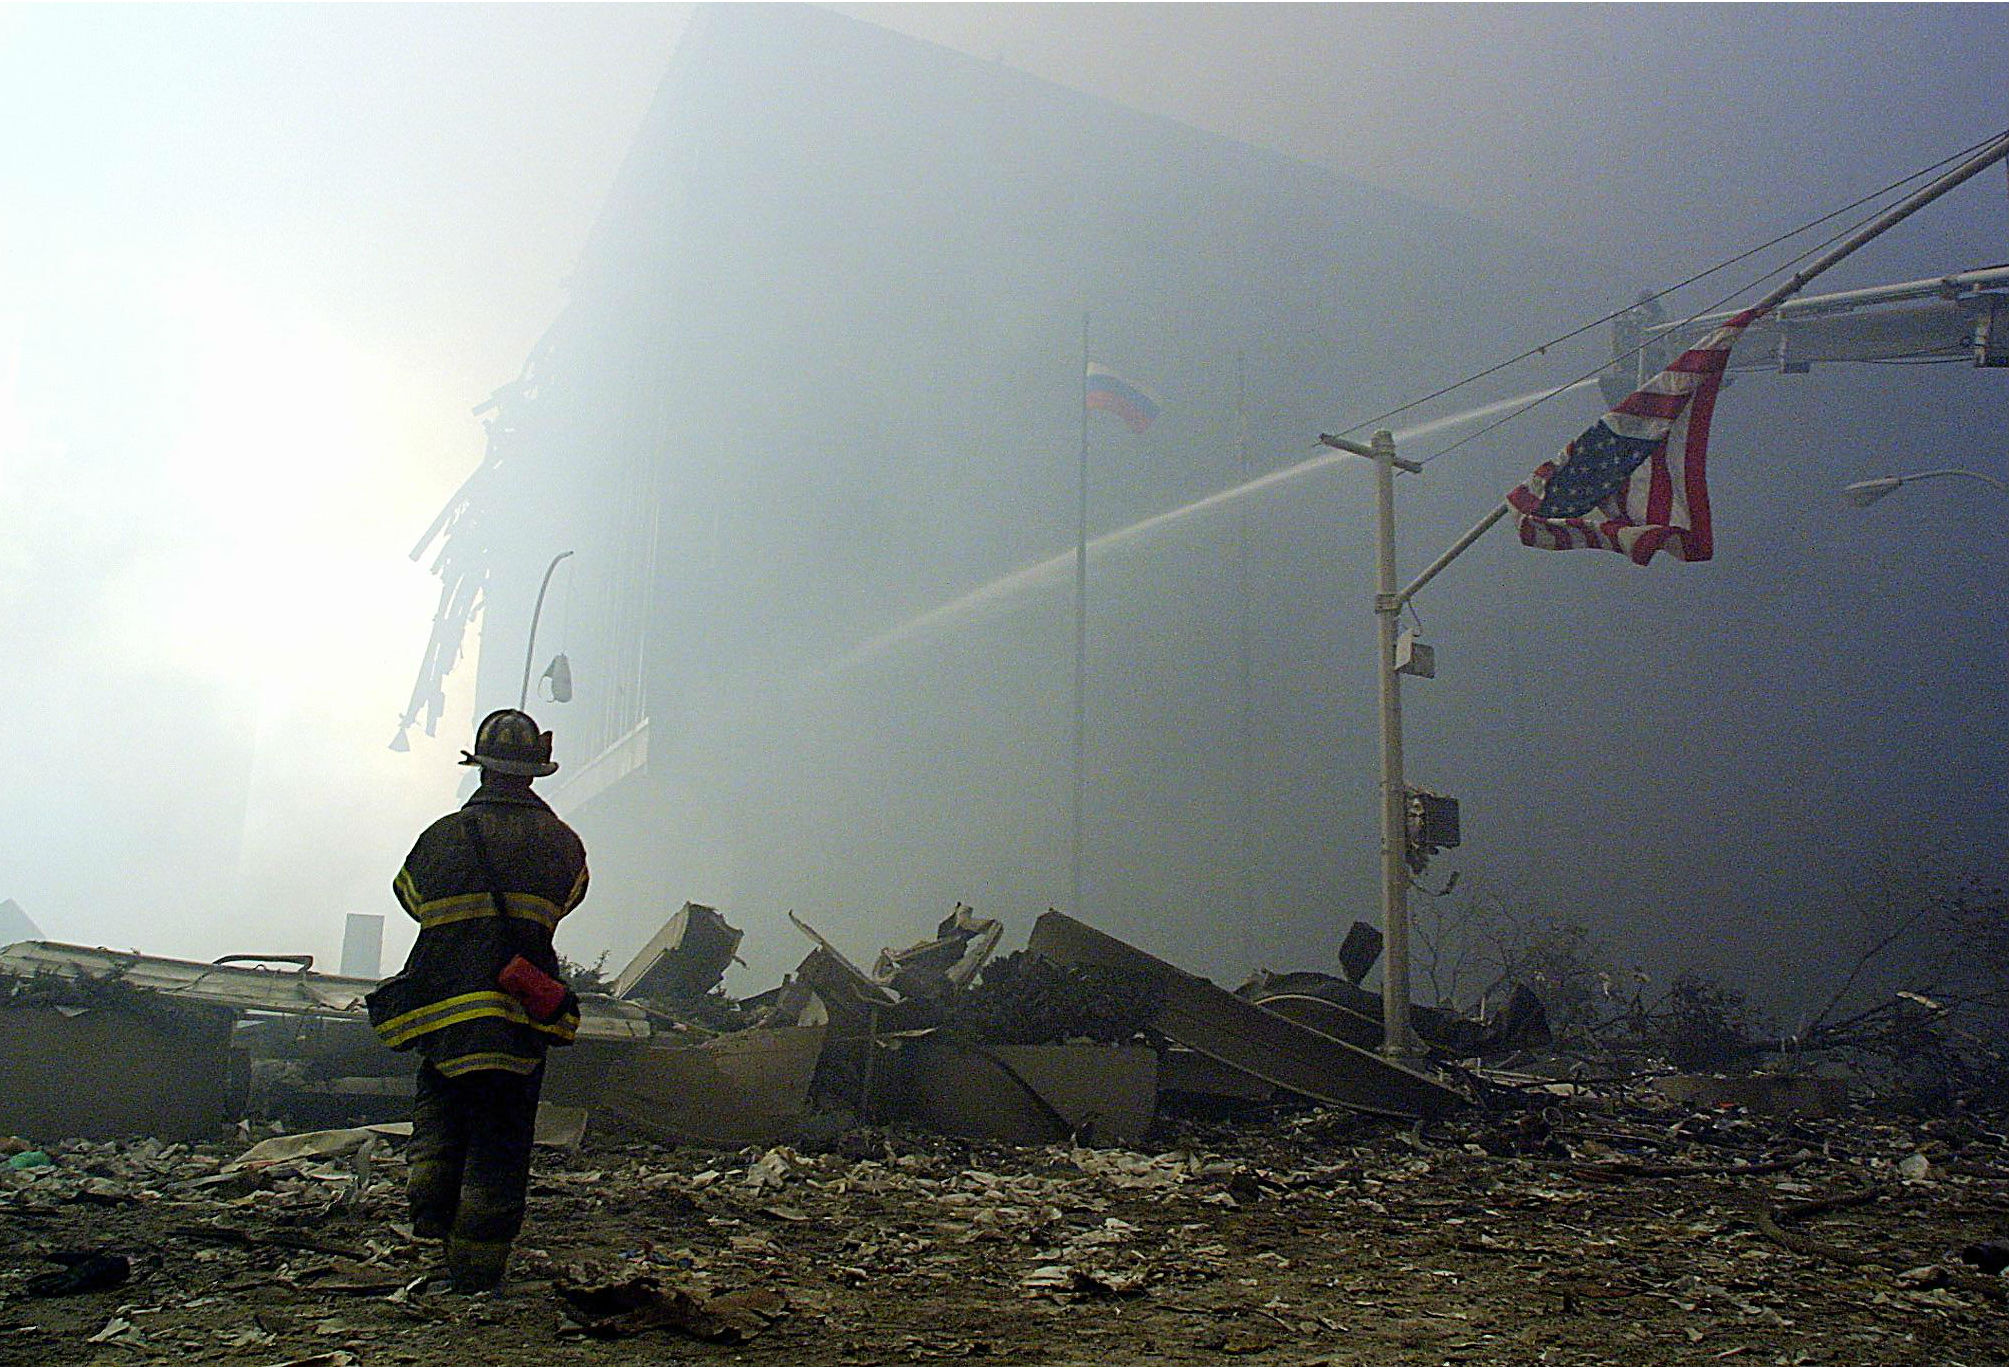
[[1397, 1038]]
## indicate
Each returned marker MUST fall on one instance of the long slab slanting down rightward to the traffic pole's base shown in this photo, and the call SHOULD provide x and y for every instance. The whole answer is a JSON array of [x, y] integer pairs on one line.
[[1245, 1036]]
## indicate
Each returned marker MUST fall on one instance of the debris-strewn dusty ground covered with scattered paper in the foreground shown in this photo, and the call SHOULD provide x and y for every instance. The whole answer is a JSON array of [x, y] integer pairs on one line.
[[1309, 1237]]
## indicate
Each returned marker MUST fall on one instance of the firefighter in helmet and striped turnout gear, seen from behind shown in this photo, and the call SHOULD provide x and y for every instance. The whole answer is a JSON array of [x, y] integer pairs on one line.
[[481, 996]]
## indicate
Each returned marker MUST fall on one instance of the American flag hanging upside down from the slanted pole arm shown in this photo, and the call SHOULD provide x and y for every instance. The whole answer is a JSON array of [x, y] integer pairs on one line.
[[1634, 483]]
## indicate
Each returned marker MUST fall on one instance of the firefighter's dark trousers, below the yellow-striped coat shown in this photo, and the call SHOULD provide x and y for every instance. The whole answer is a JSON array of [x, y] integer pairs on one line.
[[471, 1167]]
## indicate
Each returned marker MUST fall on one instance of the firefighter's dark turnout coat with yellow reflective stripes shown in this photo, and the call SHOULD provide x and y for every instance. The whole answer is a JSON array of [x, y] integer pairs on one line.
[[447, 1002]]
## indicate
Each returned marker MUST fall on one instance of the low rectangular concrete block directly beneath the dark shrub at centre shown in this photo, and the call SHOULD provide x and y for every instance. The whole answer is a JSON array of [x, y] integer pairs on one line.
[[1030, 1095]]
